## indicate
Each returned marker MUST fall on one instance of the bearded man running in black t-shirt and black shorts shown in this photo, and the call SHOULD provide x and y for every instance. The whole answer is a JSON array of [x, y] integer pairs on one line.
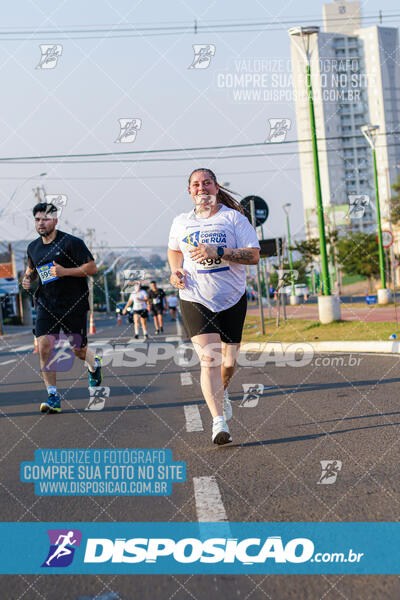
[[61, 262]]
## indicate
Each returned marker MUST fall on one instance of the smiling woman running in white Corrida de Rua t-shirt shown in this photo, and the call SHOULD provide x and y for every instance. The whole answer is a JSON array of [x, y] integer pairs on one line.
[[207, 250]]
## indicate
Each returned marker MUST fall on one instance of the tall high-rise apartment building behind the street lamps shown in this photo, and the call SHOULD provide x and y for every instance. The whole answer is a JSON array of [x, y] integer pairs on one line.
[[355, 76]]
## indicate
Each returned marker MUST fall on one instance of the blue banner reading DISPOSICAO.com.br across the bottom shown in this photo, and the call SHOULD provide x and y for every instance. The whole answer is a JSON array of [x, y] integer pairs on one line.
[[199, 548]]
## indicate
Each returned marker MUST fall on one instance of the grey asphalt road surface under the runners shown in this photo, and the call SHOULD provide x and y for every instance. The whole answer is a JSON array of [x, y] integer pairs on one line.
[[342, 410]]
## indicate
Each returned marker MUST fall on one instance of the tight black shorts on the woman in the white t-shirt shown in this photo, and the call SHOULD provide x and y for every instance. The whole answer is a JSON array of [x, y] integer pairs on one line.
[[228, 323]]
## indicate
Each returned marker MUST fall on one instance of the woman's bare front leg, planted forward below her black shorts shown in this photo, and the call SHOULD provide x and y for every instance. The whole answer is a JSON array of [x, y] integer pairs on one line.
[[208, 349]]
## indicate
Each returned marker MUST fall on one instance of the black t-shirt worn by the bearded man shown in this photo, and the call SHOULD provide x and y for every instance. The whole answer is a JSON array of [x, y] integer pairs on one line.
[[60, 294]]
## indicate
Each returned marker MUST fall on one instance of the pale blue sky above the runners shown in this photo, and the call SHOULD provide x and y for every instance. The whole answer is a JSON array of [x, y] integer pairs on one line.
[[75, 108]]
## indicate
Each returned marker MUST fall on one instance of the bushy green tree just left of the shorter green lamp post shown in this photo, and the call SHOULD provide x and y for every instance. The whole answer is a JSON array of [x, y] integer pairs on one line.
[[358, 255]]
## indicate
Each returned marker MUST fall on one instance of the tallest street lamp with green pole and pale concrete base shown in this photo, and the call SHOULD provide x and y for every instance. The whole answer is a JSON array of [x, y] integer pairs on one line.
[[328, 306]]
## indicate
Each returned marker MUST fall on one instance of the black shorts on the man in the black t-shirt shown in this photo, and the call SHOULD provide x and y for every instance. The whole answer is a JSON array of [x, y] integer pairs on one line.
[[71, 323]]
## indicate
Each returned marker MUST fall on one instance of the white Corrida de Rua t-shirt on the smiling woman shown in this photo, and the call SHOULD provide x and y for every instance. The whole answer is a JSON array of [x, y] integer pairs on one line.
[[215, 283]]
